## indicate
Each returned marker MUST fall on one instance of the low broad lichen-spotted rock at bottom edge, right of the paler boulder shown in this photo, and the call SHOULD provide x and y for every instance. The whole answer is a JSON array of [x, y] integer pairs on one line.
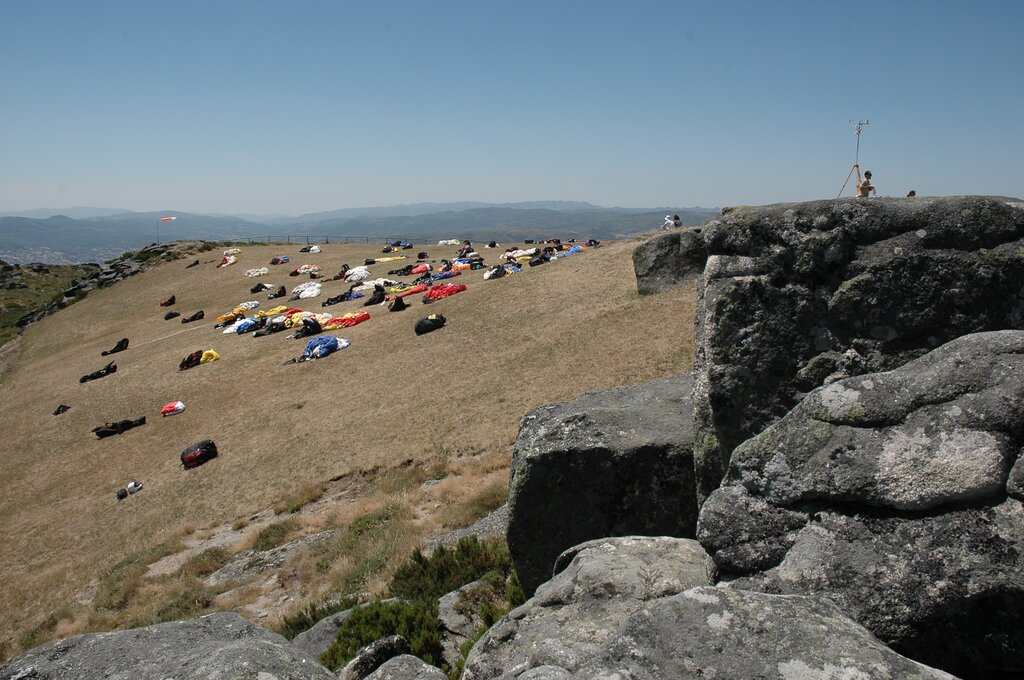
[[726, 633]]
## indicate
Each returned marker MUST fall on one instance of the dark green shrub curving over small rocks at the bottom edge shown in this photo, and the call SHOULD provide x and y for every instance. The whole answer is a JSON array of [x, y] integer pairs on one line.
[[417, 622]]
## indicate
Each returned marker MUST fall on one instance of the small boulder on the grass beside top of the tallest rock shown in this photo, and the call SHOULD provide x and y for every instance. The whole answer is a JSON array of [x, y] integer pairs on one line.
[[669, 260]]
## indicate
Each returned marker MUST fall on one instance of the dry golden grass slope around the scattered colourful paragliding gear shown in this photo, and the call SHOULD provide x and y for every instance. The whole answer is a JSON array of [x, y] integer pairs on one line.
[[450, 403]]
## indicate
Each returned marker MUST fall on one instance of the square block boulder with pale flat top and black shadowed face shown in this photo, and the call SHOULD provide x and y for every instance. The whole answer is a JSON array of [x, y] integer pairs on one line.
[[612, 463]]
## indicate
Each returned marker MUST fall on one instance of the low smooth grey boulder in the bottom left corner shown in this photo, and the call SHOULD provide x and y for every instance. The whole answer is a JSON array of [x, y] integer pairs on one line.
[[221, 646]]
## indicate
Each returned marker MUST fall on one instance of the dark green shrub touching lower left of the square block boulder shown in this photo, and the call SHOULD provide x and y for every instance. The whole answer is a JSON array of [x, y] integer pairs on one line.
[[448, 570]]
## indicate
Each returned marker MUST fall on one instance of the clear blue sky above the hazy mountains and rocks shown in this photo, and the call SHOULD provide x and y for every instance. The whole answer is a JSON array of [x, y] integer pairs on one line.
[[298, 107]]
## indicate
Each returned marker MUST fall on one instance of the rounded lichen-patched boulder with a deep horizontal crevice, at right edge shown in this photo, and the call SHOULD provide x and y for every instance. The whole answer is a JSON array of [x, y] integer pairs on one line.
[[899, 495]]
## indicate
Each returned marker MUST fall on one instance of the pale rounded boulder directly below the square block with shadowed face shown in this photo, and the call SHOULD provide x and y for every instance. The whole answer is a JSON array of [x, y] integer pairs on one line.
[[596, 588]]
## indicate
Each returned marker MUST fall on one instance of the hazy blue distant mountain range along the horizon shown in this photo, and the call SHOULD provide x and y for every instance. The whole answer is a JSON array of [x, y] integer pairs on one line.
[[97, 234]]
